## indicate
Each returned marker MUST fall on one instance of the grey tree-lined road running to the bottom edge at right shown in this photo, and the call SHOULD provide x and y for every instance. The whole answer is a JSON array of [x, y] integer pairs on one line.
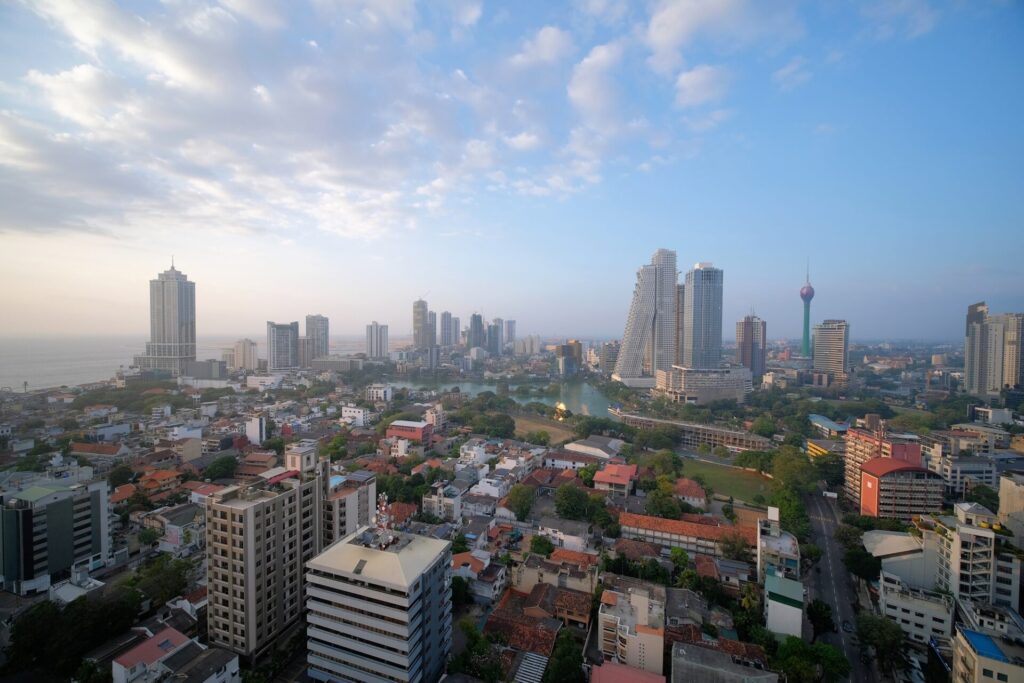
[[835, 585]]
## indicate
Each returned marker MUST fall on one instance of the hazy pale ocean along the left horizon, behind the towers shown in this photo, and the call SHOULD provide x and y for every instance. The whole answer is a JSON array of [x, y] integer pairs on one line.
[[55, 362]]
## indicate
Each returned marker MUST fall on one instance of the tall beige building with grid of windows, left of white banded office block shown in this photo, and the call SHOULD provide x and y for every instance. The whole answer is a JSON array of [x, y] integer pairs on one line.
[[259, 538]]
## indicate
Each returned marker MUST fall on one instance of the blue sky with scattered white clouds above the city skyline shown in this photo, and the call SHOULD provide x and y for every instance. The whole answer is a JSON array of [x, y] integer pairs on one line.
[[521, 160]]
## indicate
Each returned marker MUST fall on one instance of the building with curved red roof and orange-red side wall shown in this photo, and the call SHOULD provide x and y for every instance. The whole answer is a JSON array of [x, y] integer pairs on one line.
[[895, 489]]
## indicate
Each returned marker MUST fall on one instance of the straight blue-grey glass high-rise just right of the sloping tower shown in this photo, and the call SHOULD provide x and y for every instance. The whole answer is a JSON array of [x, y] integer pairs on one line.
[[703, 318]]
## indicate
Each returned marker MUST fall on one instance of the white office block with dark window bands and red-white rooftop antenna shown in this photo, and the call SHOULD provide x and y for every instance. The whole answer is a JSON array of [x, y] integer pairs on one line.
[[380, 608]]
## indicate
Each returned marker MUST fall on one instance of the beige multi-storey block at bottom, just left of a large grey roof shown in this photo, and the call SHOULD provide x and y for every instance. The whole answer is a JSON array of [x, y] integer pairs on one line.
[[631, 626]]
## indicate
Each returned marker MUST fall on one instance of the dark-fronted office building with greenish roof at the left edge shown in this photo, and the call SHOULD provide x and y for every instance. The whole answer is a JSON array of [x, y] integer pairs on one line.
[[48, 529]]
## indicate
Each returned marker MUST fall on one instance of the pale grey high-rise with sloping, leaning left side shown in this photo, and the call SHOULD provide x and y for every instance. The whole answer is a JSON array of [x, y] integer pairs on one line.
[[650, 339]]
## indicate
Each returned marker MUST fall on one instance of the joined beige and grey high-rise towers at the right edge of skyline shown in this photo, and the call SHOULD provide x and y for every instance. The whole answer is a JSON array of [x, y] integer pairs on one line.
[[994, 352]]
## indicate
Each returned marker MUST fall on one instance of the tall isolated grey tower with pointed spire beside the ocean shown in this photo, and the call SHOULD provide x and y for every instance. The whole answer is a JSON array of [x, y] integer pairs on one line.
[[173, 324]]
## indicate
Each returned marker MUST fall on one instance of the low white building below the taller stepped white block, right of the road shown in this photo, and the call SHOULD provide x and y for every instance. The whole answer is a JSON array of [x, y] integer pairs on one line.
[[922, 614]]
